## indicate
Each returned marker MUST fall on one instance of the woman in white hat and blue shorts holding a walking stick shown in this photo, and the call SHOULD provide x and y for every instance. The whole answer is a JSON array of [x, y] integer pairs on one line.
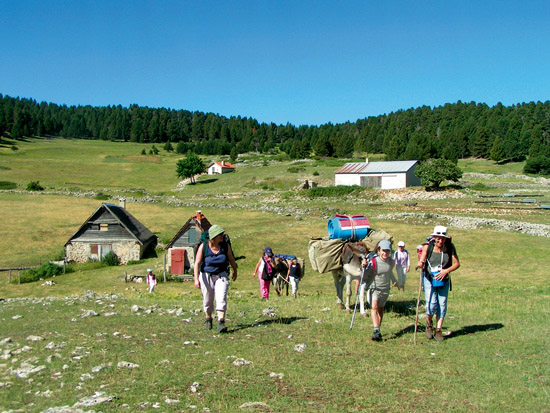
[[439, 258]]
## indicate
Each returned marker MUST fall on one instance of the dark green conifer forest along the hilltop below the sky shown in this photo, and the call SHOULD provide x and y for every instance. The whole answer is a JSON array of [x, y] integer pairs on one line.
[[451, 131]]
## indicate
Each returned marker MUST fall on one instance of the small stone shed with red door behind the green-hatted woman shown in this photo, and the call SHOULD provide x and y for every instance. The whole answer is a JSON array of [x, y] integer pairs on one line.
[[182, 248]]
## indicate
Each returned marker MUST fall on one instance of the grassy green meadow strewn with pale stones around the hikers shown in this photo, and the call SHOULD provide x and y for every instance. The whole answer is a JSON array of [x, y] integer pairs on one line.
[[56, 352]]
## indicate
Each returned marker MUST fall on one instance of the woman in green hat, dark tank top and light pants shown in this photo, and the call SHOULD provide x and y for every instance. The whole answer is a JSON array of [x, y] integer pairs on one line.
[[212, 275]]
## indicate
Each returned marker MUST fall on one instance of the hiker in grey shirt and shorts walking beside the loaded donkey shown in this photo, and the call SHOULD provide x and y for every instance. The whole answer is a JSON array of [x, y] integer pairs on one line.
[[379, 289]]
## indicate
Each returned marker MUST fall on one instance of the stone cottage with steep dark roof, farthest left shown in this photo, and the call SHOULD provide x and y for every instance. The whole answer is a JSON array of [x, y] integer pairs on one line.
[[110, 228]]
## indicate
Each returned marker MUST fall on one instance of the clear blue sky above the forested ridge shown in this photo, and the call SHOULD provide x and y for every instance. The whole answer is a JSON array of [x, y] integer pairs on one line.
[[302, 62]]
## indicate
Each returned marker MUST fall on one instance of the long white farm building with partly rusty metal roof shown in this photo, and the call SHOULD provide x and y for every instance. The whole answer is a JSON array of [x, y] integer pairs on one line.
[[381, 175]]
